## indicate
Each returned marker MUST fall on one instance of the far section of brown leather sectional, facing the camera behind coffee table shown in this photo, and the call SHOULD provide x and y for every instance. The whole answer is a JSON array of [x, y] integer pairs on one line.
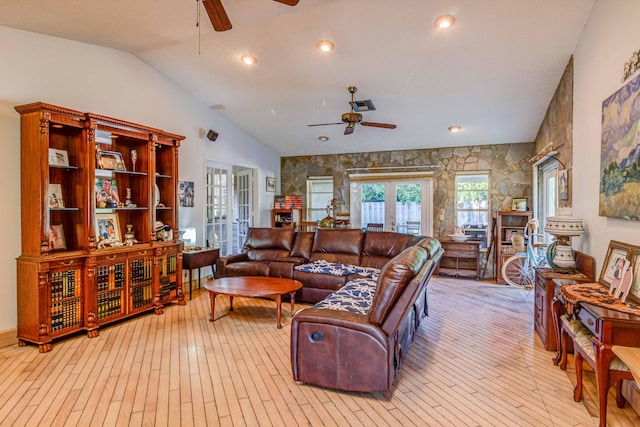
[[276, 251]]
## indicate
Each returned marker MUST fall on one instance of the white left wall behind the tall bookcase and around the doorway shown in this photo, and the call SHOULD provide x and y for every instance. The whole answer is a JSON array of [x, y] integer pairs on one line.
[[117, 84]]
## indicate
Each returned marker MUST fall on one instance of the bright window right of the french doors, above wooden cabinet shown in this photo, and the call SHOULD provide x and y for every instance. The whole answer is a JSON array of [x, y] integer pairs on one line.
[[472, 205]]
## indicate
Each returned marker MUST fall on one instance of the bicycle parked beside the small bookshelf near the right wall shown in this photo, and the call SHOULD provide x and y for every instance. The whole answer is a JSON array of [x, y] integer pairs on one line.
[[518, 271]]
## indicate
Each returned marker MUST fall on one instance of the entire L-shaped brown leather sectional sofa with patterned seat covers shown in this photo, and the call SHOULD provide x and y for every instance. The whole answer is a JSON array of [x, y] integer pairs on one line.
[[357, 334]]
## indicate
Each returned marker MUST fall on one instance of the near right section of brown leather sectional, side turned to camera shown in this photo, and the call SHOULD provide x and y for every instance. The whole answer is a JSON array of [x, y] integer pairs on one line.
[[363, 351]]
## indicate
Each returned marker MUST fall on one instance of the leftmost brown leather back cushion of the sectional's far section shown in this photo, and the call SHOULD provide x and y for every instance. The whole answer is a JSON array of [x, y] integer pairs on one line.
[[268, 244]]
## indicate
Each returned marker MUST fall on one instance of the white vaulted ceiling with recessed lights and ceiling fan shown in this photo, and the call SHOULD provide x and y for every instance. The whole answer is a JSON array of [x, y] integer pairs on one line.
[[493, 73]]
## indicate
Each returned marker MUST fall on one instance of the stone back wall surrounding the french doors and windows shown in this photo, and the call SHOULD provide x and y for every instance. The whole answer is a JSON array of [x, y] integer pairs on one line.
[[509, 166]]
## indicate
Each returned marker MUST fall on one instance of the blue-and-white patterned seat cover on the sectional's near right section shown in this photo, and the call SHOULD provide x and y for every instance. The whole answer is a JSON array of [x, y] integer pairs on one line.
[[355, 297]]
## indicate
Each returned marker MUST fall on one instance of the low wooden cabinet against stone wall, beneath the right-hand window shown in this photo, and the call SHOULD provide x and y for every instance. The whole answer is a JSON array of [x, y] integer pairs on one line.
[[460, 259]]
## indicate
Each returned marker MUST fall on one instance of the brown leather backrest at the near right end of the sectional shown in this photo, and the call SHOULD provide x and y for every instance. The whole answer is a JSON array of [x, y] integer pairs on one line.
[[394, 277]]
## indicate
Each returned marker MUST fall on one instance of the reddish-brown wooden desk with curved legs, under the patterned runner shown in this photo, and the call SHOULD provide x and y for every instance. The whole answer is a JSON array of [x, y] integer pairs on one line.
[[610, 328]]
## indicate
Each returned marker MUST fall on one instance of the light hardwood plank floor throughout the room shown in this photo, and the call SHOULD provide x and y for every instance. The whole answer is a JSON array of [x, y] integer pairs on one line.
[[475, 361]]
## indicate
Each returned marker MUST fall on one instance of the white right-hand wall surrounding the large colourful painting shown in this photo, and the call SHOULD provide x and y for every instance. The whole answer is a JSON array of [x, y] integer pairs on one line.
[[611, 35]]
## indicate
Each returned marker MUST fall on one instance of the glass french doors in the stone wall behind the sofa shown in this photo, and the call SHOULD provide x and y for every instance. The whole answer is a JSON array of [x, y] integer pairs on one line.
[[404, 206]]
